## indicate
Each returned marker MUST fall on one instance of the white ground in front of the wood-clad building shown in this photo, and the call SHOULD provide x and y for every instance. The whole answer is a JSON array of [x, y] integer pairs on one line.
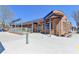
[[39, 43]]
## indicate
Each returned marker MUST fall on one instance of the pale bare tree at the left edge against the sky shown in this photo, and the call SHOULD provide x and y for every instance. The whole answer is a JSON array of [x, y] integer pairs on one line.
[[6, 15]]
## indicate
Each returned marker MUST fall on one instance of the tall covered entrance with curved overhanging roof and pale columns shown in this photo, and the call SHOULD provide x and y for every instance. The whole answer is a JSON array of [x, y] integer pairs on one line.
[[53, 23]]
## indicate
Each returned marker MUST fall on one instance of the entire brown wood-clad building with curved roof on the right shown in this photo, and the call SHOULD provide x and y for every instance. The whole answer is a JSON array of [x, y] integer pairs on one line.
[[53, 23]]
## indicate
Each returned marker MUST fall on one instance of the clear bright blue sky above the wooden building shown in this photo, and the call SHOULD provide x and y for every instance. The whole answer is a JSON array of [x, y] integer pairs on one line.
[[33, 12]]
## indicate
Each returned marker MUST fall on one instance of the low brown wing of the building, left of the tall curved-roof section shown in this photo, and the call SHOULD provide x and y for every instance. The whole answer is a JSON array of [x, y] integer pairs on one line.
[[35, 25]]
